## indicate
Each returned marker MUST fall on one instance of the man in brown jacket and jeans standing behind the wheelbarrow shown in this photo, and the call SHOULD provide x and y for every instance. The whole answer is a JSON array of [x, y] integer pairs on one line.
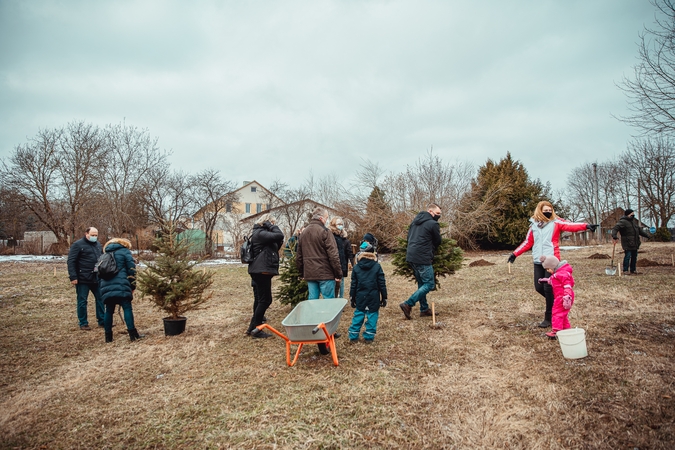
[[317, 257]]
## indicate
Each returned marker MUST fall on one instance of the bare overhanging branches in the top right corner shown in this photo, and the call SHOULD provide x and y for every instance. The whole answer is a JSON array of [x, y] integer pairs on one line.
[[651, 91]]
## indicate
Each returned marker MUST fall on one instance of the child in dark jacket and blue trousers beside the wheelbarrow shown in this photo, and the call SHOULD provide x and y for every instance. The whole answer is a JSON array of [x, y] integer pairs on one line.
[[367, 293]]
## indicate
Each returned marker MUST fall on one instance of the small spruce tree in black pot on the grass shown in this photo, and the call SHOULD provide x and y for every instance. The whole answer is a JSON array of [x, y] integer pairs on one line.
[[172, 283]]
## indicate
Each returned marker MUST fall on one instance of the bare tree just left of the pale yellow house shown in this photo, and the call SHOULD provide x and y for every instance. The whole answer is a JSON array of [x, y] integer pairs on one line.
[[211, 195]]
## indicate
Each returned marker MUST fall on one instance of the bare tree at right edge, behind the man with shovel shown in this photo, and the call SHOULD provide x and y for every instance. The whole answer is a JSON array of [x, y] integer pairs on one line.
[[654, 159]]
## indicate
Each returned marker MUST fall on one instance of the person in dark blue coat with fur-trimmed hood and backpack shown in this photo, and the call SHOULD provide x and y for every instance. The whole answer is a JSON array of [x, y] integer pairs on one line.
[[118, 285]]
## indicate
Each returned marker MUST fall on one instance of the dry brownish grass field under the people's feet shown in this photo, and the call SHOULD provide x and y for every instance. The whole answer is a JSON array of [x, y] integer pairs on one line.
[[488, 378]]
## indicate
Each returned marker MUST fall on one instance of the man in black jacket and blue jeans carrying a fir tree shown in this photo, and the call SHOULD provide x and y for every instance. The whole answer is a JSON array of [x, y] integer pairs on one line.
[[424, 237]]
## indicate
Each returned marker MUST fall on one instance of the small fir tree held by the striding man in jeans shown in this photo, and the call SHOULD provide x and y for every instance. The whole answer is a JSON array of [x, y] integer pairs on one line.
[[447, 259]]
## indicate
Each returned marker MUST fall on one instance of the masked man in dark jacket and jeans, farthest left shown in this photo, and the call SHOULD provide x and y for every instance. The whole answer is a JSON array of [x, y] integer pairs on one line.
[[82, 258]]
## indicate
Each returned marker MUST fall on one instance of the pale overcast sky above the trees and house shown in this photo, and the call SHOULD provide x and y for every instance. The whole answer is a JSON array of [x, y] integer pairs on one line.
[[276, 89]]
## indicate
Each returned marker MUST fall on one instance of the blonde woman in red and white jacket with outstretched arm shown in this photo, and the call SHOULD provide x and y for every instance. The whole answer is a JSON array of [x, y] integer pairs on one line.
[[543, 238]]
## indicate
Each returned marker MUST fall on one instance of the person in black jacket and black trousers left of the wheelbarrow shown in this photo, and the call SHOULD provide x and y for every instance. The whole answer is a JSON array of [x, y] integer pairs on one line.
[[266, 240]]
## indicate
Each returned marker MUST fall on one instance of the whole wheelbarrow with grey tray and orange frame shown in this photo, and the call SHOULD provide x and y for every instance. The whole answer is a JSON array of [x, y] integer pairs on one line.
[[311, 322]]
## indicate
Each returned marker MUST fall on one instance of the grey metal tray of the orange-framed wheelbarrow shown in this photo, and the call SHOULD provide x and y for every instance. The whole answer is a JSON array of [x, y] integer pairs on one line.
[[310, 313]]
